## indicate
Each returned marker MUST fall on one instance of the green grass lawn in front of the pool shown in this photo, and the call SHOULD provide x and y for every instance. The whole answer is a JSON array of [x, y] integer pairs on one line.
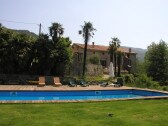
[[124, 113]]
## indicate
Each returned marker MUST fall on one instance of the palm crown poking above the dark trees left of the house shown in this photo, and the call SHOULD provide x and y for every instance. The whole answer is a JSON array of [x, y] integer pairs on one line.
[[56, 30]]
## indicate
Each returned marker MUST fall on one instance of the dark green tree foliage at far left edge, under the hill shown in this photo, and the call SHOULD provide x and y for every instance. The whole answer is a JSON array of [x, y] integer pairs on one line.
[[14, 50]]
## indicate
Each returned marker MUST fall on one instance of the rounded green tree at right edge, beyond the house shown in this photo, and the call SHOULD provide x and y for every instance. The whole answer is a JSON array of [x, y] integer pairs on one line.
[[156, 60]]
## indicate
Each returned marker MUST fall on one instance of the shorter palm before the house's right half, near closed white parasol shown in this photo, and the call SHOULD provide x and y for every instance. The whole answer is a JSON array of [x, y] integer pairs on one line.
[[114, 45]]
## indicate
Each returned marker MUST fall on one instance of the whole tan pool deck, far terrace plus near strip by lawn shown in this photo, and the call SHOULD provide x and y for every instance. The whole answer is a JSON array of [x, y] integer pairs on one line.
[[67, 88]]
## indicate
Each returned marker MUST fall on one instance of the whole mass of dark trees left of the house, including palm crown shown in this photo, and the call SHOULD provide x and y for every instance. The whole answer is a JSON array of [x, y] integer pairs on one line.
[[21, 53]]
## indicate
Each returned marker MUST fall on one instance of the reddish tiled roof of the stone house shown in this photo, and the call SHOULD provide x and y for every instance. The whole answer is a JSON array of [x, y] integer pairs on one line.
[[102, 48]]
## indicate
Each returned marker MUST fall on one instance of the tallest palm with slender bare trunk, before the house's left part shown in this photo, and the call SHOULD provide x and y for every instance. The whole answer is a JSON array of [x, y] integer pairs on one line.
[[87, 32]]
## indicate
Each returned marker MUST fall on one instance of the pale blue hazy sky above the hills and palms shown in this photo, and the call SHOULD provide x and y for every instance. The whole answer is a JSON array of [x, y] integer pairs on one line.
[[137, 23]]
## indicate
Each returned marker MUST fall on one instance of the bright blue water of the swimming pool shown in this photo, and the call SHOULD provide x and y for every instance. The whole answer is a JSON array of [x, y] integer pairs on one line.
[[76, 95]]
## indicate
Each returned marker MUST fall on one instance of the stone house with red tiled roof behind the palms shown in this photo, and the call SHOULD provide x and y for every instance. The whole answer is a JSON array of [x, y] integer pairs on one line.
[[128, 59]]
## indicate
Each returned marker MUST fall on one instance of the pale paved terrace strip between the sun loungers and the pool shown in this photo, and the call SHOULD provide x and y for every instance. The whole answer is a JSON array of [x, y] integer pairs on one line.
[[64, 87]]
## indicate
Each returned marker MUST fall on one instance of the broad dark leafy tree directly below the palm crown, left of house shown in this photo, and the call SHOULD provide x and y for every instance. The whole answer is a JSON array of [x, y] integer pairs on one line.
[[53, 58]]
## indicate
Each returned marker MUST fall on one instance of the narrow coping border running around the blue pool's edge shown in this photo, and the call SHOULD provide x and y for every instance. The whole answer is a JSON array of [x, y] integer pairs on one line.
[[94, 100]]
